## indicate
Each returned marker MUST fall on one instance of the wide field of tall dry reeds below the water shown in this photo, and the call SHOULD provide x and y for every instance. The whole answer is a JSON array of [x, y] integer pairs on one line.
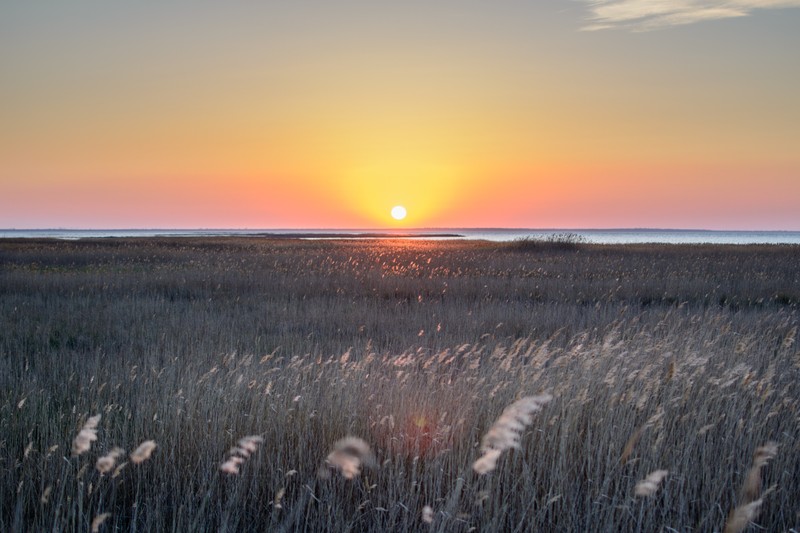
[[247, 384]]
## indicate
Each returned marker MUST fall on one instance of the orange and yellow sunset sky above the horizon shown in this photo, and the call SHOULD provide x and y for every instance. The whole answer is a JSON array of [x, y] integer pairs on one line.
[[327, 114]]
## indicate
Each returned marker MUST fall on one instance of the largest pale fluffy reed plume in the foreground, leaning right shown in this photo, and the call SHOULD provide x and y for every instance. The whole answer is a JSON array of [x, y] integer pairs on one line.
[[507, 431]]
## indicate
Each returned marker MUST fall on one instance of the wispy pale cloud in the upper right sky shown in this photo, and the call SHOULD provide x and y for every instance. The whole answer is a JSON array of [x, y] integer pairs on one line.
[[643, 15]]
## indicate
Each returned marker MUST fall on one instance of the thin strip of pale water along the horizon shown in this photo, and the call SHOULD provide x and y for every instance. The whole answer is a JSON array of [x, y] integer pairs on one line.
[[594, 236]]
